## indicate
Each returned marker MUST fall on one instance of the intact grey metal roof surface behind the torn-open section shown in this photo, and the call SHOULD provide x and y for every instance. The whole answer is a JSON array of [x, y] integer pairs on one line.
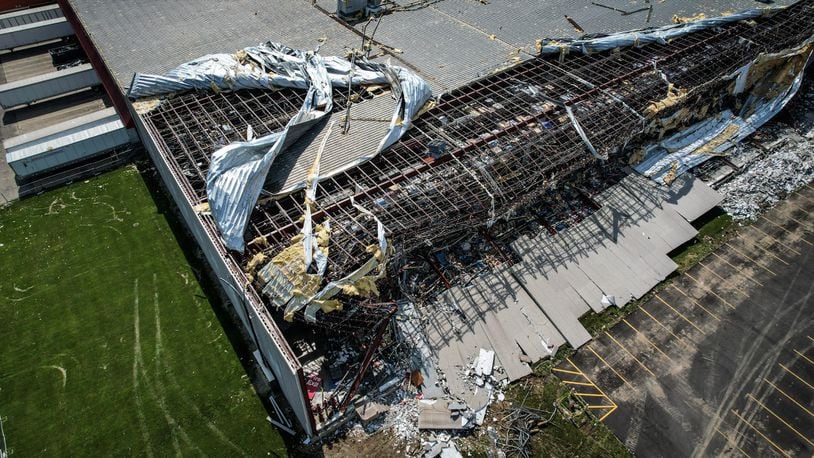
[[450, 42]]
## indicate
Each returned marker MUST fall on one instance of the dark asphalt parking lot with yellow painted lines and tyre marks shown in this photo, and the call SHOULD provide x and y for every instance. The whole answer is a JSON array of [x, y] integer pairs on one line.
[[720, 361]]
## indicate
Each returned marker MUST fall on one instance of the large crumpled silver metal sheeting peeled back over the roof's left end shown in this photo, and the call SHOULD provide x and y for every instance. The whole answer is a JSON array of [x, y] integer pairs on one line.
[[237, 171]]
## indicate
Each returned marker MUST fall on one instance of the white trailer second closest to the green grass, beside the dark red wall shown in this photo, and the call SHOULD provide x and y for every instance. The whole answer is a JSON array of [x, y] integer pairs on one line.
[[29, 90]]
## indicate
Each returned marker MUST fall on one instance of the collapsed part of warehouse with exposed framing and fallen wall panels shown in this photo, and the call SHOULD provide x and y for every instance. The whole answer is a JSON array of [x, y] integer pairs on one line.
[[477, 195]]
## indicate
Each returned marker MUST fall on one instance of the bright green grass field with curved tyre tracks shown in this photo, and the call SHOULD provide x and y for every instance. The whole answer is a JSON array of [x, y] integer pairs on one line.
[[108, 344]]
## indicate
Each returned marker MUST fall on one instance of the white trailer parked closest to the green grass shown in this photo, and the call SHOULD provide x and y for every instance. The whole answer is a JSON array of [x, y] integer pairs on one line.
[[65, 143]]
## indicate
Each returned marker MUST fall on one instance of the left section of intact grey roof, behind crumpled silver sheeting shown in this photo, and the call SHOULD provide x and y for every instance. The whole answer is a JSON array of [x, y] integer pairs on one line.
[[153, 36]]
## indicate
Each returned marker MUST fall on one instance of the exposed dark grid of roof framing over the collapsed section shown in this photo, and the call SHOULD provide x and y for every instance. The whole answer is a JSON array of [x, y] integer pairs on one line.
[[486, 149]]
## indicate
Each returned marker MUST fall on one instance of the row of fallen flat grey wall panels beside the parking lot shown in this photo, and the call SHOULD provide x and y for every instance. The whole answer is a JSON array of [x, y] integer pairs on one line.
[[534, 306]]
